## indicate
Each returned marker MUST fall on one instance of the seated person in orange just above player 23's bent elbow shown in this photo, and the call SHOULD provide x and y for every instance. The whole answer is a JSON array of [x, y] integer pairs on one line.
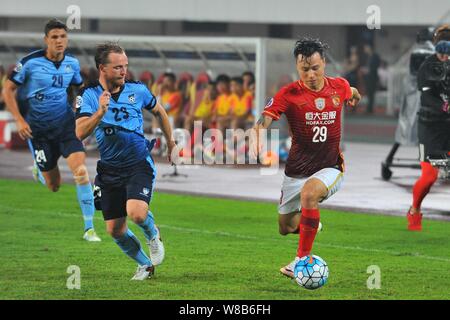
[[171, 98]]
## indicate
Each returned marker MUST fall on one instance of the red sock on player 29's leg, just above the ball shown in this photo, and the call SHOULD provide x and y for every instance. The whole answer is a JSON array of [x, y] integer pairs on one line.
[[309, 223]]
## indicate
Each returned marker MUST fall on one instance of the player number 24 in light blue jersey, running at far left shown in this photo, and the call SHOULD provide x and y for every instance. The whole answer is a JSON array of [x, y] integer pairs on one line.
[[44, 76]]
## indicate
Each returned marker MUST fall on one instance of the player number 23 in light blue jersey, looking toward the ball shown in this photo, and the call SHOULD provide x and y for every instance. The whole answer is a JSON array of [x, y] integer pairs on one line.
[[112, 109]]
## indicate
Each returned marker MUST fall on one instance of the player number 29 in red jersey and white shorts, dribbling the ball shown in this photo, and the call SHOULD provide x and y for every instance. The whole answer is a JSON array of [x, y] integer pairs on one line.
[[315, 166]]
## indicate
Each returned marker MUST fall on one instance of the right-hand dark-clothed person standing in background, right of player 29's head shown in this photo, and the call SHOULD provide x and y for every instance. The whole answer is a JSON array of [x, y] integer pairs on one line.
[[371, 76]]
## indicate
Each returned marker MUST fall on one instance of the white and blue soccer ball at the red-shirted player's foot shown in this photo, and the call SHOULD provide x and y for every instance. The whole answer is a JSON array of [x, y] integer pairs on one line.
[[311, 272]]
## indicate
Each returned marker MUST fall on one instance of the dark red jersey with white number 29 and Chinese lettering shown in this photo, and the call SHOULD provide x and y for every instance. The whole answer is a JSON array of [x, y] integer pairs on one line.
[[315, 122]]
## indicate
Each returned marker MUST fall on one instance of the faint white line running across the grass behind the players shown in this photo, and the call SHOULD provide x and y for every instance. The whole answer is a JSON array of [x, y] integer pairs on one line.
[[241, 236]]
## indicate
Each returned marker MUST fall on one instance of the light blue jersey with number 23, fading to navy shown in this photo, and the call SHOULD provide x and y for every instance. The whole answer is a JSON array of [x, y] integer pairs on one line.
[[120, 133]]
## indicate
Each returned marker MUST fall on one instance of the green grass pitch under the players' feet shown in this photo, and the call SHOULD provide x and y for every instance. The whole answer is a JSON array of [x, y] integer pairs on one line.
[[215, 249]]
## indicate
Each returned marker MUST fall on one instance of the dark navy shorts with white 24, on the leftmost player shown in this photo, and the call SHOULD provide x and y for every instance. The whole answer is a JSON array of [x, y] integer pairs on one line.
[[51, 144]]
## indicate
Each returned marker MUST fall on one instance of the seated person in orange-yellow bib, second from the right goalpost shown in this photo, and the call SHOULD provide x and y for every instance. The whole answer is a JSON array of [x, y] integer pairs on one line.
[[241, 102]]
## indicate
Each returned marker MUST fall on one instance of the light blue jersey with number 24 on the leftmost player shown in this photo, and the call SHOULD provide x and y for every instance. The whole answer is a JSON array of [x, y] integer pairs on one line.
[[44, 85]]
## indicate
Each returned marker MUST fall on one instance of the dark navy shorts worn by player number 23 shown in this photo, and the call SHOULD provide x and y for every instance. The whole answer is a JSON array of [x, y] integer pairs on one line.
[[120, 184]]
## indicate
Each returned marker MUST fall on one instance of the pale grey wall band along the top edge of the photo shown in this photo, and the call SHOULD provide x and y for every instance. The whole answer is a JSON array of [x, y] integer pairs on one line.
[[399, 12]]
